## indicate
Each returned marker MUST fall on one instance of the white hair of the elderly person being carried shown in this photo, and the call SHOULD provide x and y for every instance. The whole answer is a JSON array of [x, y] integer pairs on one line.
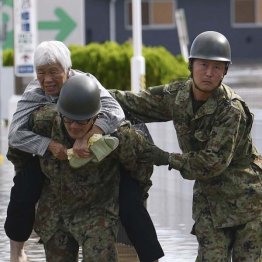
[[50, 52]]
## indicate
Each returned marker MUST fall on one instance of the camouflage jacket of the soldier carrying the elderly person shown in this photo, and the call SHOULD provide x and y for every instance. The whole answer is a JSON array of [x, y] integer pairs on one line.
[[88, 196]]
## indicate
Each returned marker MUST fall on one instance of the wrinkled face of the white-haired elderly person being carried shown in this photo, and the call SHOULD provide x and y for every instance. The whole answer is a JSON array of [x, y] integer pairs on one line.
[[51, 78]]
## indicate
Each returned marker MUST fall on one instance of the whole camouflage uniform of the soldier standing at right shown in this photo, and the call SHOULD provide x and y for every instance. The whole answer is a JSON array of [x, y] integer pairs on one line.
[[218, 153]]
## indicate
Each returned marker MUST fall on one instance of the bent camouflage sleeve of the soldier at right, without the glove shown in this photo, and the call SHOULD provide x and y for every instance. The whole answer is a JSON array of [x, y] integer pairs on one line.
[[226, 134]]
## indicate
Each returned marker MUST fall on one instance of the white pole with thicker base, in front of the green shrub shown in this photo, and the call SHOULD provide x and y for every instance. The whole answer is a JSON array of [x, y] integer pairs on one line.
[[137, 61]]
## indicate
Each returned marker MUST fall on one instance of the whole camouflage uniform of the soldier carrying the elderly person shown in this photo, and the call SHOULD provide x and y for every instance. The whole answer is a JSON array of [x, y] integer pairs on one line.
[[80, 206]]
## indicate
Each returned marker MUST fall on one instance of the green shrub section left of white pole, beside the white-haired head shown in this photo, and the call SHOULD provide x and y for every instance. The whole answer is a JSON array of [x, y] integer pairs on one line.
[[109, 62]]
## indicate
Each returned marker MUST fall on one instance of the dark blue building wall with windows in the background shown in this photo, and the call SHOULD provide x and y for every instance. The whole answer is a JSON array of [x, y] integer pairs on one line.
[[239, 20]]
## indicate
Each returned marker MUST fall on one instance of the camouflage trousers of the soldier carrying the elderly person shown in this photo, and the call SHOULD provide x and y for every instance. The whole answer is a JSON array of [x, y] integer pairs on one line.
[[99, 246]]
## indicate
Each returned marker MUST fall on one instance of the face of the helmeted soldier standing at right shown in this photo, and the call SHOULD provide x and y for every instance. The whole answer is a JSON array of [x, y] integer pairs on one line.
[[208, 74]]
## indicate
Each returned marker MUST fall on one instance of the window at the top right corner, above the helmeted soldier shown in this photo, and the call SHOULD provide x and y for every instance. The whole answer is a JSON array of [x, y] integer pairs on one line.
[[247, 12]]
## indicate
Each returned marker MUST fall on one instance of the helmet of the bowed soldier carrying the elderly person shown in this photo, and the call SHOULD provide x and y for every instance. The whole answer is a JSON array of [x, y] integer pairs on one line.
[[79, 98]]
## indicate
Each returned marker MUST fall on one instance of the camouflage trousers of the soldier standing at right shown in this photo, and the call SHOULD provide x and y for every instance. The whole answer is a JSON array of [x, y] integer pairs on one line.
[[241, 243]]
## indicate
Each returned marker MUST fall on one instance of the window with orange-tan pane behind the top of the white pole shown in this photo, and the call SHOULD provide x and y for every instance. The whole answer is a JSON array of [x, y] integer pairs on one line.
[[155, 13]]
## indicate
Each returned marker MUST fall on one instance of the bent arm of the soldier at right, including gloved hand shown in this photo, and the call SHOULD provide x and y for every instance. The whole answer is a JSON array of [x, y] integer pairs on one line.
[[228, 132]]
